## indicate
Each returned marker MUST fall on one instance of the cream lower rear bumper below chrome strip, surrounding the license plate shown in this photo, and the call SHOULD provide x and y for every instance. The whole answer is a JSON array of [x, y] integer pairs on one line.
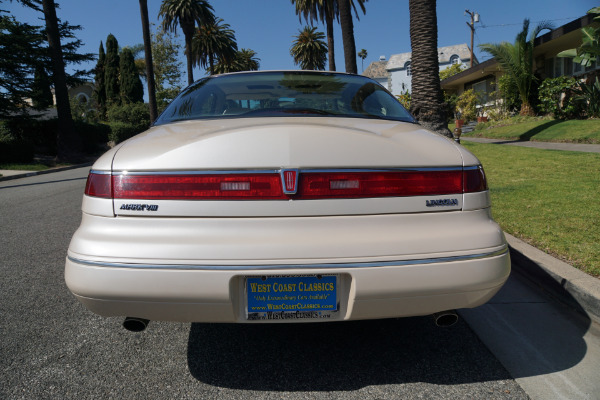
[[205, 293]]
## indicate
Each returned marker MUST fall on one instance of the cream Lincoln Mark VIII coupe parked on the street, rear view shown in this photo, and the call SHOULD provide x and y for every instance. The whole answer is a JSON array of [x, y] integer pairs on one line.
[[268, 197]]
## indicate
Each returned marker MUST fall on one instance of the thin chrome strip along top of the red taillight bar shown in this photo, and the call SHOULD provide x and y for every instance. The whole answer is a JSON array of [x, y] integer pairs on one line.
[[277, 171]]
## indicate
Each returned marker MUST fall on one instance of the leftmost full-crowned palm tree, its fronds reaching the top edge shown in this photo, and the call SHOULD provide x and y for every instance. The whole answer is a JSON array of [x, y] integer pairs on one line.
[[186, 13]]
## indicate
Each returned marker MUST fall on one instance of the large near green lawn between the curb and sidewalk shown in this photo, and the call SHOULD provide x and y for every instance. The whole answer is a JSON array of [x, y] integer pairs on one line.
[[547, 198]]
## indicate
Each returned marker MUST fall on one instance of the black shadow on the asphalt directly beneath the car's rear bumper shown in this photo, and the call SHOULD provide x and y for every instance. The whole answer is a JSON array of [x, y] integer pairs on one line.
[[339, 356]]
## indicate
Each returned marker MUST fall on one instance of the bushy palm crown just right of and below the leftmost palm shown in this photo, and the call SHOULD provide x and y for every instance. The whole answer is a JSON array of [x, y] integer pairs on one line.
[[213, 41]]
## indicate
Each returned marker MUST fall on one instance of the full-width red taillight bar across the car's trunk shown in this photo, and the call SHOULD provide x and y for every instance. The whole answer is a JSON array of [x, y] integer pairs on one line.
[[268, 186]]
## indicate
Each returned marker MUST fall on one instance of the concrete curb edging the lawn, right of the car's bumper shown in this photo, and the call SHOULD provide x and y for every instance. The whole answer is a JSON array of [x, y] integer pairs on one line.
[[567, 284]]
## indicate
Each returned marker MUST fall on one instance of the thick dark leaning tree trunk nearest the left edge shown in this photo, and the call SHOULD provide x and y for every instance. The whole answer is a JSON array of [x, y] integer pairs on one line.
[[68, 143]]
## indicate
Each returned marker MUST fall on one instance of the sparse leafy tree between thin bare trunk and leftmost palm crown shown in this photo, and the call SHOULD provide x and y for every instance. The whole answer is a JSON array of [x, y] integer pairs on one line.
[[167, 67]]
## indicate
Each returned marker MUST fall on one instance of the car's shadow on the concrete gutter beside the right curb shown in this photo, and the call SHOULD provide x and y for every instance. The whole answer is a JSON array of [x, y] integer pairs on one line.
[[533, 325]]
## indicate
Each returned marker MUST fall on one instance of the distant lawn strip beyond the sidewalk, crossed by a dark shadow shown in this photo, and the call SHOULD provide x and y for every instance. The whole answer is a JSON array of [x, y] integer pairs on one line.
[[540, 129]]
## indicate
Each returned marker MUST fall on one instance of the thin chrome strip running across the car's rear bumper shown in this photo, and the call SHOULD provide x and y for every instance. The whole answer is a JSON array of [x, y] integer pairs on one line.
[[421, 261]]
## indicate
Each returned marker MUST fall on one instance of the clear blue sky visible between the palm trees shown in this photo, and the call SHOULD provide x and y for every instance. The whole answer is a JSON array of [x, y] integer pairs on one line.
[[268, 26]]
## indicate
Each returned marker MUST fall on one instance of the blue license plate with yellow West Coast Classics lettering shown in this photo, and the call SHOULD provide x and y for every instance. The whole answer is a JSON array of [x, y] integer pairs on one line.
[[291, 297]]
